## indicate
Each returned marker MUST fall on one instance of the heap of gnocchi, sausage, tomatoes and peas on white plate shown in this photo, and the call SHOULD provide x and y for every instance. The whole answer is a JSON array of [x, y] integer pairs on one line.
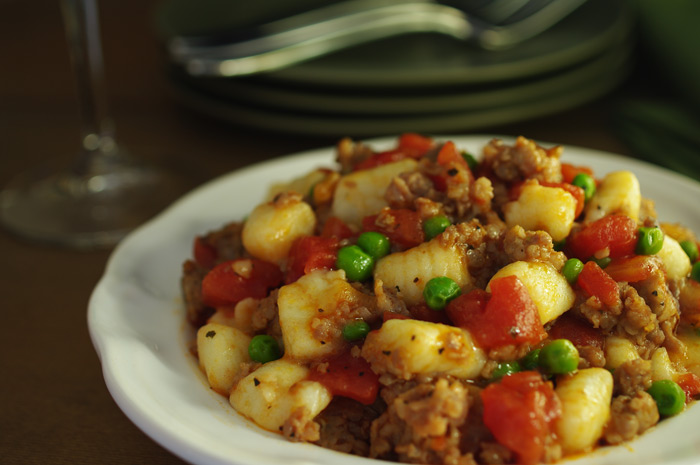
[[421, 305]]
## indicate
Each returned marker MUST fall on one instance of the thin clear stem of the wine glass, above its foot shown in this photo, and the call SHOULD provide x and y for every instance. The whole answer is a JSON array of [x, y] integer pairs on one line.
[[81, 20]]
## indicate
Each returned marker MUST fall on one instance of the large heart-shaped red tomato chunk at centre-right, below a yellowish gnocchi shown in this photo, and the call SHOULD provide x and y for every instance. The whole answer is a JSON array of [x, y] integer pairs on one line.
[[507, 316]]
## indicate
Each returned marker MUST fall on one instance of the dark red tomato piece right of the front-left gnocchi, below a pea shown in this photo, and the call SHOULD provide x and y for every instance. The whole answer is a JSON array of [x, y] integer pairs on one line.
[[349, 376]]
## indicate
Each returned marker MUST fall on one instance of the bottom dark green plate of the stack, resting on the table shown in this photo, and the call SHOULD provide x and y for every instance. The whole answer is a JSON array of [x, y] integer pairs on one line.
[[344, 124]]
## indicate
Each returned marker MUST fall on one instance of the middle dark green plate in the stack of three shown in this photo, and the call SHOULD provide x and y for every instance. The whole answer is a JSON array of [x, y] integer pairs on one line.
[[363, 102]]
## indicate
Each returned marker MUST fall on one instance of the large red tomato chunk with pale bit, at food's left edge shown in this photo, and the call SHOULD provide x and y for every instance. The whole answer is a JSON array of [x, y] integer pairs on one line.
[[230, 282]]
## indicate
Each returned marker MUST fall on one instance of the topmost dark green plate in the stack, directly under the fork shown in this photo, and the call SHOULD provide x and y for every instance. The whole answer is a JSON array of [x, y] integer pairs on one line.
[[417, 60]]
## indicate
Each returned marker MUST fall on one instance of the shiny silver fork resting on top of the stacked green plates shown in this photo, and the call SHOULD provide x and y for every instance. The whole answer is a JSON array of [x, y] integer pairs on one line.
[[315, 33]]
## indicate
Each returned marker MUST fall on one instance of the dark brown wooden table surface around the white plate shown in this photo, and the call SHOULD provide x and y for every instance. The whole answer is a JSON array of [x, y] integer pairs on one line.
[[54, 406]]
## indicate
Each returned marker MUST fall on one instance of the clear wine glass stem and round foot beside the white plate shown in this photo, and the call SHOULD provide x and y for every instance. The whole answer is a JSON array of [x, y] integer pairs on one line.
[[104, 193]]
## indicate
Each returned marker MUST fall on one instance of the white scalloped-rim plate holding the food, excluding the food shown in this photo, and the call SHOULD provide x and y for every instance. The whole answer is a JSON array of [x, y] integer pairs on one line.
[[136, 320]]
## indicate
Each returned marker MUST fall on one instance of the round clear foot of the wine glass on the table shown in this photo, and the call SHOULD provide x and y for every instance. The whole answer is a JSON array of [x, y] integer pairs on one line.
[[86, 212]]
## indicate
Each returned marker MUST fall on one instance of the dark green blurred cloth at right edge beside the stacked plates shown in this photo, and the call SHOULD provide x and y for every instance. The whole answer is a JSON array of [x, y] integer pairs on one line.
[[666, 131]]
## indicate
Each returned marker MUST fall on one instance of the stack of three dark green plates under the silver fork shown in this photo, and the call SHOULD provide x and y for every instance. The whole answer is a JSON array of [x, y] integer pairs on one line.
[[422, 82]]
